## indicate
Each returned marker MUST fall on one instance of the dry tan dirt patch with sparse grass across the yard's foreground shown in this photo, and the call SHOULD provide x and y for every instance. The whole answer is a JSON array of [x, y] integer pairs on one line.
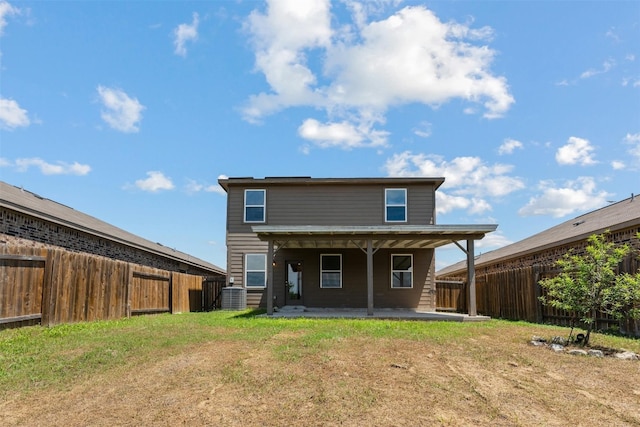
[[494, 378]]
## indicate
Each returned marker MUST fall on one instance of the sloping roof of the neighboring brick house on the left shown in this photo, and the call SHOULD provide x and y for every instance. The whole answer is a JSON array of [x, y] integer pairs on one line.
[[37, 206]]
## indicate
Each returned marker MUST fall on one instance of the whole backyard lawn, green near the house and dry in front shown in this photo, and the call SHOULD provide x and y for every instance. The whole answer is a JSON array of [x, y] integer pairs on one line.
[[328, 370]]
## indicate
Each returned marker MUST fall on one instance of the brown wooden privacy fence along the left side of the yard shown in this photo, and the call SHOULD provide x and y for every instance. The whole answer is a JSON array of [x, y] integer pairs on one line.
[[53, 286]]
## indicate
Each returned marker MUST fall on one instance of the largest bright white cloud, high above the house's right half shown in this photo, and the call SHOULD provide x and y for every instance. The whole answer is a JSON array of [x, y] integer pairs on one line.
[[414, 57]]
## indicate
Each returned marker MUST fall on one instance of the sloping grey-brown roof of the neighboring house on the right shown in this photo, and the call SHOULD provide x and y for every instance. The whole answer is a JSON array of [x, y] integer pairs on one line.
[[616, 216]]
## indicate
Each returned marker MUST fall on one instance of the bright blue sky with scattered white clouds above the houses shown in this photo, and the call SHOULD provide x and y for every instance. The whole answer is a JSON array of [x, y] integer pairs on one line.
[[130, 111]]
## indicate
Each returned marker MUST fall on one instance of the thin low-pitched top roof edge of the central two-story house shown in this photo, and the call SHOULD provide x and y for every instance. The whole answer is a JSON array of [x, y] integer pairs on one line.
[[305, 180]]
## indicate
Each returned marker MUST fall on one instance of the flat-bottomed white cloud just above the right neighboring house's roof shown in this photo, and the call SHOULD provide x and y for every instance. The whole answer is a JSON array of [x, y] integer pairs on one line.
[[573, 196]]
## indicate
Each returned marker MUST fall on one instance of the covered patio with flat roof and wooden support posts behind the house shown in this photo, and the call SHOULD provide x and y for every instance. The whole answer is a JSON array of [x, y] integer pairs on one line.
[[370, 239]]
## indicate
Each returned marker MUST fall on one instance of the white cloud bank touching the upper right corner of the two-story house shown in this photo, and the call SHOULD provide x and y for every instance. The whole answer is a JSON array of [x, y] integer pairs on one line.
[[469, 181]]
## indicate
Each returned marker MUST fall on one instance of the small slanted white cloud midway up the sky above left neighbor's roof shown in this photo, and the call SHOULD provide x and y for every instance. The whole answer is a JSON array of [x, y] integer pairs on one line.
[[122, 112]]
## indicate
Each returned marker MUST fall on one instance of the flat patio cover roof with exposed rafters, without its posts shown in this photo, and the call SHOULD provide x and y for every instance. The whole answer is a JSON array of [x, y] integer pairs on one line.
[[387, 237]]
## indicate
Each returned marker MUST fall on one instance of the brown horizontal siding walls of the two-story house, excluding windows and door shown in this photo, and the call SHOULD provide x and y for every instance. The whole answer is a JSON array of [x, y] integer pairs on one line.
[[327, 204]]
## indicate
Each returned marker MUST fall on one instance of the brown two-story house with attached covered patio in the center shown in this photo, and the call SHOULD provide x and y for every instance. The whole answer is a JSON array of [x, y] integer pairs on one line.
[[338, 242]]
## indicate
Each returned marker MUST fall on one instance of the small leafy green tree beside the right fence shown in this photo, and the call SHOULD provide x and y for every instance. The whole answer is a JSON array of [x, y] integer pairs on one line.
[[590, 283]]
